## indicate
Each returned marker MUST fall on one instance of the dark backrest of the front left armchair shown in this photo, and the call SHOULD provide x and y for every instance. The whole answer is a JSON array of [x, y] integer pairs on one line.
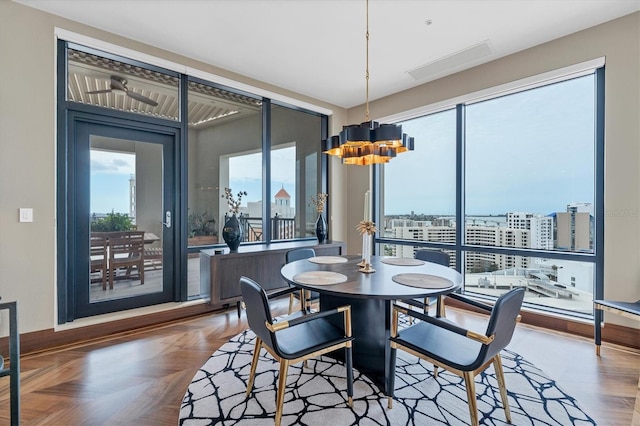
[[258, 312]]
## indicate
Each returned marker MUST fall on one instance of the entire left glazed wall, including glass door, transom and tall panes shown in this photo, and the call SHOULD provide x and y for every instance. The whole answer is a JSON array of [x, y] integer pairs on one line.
[[148, 152]]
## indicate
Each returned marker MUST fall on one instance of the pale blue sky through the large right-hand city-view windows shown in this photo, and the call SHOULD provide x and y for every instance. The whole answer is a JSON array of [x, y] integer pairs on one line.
[[528, 152]]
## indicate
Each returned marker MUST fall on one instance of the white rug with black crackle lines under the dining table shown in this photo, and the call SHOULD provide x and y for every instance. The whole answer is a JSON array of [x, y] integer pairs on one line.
[[316, 395]]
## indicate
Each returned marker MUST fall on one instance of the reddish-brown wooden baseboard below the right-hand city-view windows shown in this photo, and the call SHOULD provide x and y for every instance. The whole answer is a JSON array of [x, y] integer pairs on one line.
[[611, 333]]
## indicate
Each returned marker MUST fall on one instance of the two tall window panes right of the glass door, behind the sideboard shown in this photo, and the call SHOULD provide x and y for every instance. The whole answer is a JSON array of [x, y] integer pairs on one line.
[[266, 154]]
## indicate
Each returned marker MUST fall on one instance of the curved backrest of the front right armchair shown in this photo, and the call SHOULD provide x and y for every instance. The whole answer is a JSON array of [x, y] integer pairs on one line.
[[502, 322]]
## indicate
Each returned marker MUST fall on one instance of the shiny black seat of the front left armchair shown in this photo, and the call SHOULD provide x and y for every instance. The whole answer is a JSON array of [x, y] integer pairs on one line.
[[308, 337]]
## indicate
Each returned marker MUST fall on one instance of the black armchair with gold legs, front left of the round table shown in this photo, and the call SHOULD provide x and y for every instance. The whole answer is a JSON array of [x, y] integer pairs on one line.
[[292, 340]]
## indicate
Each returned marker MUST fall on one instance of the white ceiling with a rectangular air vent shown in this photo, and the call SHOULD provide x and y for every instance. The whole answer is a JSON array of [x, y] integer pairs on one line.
[[318, 48]]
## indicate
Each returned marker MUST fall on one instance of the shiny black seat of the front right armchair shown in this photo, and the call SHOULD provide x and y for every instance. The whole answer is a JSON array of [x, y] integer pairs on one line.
[[441, 344]]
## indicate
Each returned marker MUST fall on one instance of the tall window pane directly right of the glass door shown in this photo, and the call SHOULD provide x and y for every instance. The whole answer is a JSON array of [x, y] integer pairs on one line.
[[224, 151]]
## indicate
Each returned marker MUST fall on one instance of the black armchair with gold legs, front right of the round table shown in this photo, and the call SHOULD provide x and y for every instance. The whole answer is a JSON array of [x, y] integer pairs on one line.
[[459, 350]]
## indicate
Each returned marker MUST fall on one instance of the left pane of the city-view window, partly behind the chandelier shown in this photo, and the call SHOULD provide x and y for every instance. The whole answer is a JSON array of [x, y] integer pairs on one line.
[[419, 191]]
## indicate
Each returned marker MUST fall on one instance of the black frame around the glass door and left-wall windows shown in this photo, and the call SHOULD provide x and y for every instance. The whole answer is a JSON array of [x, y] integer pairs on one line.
[[64, 107]]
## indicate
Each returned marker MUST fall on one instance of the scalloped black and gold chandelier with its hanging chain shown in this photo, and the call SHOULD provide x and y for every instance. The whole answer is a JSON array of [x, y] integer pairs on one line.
[[369, 142]]
